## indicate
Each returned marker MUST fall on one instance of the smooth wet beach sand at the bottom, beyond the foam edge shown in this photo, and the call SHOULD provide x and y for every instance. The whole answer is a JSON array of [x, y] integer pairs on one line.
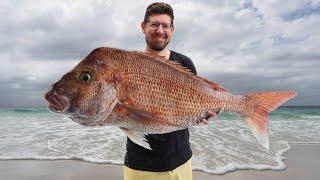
[[302, 160]]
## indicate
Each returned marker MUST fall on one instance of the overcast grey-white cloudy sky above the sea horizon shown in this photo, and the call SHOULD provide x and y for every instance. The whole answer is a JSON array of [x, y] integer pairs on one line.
[[242, 44]]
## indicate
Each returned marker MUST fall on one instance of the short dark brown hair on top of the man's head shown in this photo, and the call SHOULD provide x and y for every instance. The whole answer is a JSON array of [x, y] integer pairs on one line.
[[158, 8]]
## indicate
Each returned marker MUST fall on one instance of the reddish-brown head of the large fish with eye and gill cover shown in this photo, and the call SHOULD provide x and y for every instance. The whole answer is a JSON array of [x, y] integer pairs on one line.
[[86, 94]]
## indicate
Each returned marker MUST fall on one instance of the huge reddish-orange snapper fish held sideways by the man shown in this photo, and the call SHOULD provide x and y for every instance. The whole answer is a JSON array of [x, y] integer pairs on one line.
[[146, 94]]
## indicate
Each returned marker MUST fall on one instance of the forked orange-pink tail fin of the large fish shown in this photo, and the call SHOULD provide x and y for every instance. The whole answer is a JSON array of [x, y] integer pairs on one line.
[[258, 107]]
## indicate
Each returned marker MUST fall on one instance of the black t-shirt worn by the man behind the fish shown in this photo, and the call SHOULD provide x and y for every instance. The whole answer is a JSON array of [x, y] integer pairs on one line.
[[169, 150]]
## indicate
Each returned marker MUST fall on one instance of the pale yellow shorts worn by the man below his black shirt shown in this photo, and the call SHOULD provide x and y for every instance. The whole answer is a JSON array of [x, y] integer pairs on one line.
[[183, 172]]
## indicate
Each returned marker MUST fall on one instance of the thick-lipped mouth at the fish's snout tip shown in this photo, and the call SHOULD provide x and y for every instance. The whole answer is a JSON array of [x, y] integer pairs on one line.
[[56, 103]]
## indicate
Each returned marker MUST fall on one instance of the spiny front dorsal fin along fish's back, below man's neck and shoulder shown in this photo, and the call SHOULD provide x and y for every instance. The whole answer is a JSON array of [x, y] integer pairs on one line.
[[162, 59]]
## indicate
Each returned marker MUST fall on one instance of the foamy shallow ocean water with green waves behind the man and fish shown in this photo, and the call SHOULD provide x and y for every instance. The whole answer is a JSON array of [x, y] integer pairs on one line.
[[224, 145]]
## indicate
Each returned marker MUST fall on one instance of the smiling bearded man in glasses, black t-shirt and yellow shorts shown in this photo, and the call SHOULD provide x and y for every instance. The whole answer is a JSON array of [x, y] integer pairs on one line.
[[171, 154]]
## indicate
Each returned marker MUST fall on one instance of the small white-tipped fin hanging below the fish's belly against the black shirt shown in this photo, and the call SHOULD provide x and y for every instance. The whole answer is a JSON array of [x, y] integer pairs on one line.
[[137, 137]]
